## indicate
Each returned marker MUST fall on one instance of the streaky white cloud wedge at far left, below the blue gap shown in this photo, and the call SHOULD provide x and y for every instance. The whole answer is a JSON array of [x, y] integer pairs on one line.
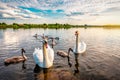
[[9, 11]]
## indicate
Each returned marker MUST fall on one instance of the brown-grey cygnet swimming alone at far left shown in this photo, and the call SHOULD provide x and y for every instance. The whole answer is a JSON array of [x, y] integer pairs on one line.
[[16, 59]]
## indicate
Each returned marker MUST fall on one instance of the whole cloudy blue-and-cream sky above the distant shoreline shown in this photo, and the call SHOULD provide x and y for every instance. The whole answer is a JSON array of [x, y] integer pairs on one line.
[[76, 12]]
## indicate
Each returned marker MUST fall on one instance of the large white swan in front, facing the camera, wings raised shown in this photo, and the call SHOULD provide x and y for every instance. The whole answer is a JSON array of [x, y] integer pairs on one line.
[[44, 57]]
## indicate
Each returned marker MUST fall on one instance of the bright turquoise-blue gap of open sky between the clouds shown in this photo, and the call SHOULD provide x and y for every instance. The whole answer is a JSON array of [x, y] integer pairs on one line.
[[46, 13]]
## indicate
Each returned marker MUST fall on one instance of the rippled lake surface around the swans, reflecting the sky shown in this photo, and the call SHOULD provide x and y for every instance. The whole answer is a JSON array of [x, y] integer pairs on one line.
[[101, 61]]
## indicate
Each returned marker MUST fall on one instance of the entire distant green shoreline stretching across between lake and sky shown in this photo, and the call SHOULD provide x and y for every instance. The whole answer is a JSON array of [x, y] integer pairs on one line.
[[51, 26]]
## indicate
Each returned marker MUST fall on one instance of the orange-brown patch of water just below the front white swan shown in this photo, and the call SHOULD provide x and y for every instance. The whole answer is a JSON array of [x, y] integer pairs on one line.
[[52, 74]]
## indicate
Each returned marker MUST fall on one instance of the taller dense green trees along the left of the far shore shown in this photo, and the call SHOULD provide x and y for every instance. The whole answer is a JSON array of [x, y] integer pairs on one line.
[[26, 26]]
